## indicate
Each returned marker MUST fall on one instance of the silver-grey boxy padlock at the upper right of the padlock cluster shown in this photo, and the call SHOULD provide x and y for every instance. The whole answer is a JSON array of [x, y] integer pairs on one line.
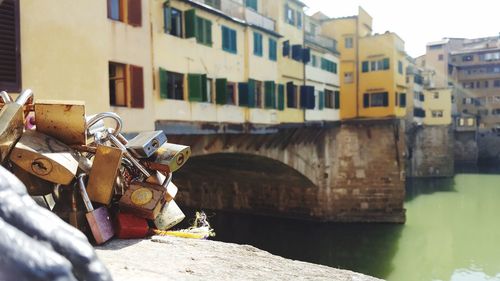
[[146, 143]]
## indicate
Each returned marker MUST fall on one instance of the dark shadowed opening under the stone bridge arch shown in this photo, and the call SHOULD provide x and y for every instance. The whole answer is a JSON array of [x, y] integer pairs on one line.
[[245, 183]]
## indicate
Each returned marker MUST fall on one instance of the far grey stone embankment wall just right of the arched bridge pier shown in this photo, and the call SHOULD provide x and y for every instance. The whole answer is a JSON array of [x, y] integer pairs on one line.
[[430, 151]]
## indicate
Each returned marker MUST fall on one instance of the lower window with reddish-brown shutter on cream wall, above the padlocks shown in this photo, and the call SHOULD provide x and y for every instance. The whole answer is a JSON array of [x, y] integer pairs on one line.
[[121, 78]]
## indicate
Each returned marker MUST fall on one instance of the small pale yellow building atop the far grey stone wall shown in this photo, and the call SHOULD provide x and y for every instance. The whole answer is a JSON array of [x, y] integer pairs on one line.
[[438, 106]]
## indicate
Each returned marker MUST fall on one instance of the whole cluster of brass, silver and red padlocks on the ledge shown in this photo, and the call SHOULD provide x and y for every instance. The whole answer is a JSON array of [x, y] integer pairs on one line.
[[88, 173]]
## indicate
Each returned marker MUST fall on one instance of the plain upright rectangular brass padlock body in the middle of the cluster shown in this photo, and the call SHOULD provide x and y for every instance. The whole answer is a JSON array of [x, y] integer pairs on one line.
[[103, 174]]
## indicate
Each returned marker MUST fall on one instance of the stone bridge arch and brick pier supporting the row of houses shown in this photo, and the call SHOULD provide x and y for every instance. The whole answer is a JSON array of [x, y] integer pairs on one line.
[[339, 171]]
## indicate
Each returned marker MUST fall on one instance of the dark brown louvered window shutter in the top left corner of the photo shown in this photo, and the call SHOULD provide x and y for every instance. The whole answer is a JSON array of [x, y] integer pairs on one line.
[[10, 51]]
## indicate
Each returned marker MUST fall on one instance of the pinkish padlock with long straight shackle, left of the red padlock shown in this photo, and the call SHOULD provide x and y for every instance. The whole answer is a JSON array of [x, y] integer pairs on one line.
[[98, 219]]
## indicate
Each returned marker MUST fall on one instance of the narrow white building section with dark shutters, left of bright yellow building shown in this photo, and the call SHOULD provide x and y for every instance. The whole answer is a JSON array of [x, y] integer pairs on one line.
[[322, 72]]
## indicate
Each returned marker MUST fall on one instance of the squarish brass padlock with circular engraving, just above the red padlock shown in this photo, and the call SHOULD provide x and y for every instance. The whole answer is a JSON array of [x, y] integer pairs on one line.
[[143, 199]]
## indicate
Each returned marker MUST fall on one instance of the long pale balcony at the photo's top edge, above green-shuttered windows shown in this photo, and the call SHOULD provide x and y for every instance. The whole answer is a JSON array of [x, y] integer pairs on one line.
[[237, 9]]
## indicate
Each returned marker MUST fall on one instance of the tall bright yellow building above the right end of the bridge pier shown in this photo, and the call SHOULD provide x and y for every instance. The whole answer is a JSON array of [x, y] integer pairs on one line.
[[372, 78]]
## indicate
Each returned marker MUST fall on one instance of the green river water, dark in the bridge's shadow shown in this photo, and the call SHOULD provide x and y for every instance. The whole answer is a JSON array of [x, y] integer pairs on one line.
[[452, 233]]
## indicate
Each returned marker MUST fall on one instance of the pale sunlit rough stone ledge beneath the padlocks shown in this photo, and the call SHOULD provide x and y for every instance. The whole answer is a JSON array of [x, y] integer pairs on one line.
[[186, 259]]
